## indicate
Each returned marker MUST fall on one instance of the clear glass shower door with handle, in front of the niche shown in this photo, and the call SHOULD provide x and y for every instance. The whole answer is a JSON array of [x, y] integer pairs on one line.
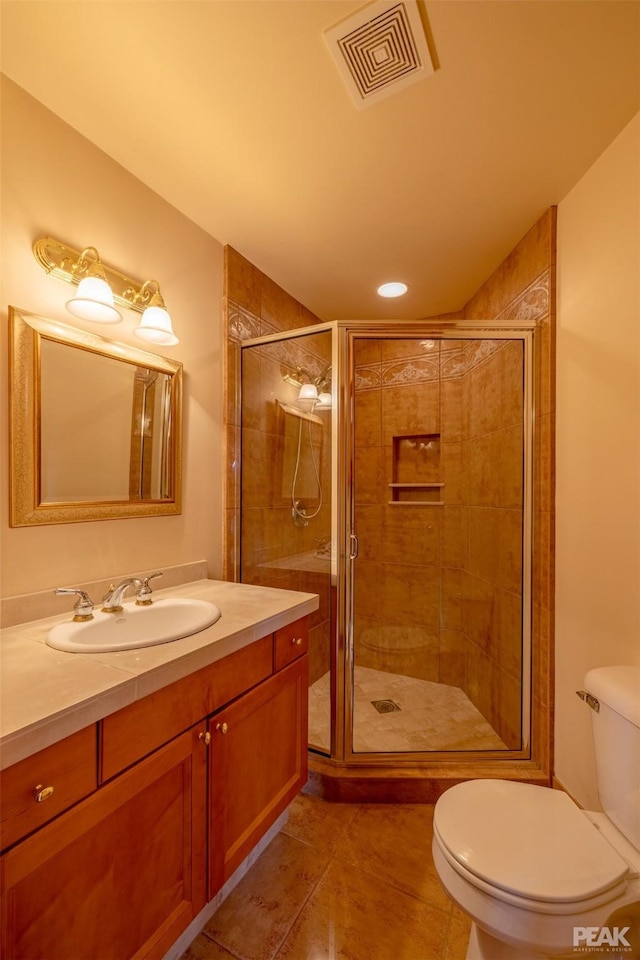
[[439, 587]]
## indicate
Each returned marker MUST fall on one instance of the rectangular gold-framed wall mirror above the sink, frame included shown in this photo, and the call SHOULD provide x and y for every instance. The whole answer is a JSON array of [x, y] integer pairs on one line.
[[95, 426]]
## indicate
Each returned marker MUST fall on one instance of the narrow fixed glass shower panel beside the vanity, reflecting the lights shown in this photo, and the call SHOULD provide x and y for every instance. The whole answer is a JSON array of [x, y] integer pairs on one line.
[[287, 488]]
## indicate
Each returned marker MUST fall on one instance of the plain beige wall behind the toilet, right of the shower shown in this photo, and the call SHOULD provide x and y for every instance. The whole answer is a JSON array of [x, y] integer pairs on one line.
[[598, 443]]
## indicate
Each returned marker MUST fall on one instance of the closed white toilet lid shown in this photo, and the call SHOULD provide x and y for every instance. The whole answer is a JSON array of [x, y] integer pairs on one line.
[[531, 841]]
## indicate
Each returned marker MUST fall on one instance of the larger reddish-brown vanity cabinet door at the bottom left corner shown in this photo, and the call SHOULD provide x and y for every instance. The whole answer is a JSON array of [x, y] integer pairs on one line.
[[122, 873]]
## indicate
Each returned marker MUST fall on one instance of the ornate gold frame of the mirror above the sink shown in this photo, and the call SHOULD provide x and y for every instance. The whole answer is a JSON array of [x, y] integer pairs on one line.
[[27, 334]]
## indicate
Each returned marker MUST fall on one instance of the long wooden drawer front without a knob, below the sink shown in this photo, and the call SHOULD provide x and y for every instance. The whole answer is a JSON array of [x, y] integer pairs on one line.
[[140, 728]]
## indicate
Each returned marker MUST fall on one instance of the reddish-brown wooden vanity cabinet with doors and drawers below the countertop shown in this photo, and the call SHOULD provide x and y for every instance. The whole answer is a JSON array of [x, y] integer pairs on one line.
[[184, 784]]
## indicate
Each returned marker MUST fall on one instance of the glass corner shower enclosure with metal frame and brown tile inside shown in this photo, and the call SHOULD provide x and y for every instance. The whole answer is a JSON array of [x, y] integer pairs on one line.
[[419, 479]]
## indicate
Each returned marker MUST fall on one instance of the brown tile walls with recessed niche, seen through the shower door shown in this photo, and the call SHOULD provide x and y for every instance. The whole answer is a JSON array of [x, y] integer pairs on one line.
[[447, 608]]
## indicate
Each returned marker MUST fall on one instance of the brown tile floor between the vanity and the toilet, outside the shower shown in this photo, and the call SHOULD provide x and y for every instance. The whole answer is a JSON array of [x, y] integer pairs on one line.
[[340, 882]]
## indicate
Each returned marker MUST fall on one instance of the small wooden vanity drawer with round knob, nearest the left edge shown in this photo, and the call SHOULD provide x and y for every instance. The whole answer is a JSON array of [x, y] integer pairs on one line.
[[69, 767]]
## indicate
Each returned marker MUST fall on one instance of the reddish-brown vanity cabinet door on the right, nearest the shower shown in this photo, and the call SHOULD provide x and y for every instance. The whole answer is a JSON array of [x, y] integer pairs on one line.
[[258, 764]]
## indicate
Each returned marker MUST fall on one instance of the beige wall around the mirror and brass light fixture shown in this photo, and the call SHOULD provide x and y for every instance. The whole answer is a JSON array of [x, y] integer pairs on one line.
[[54, 182]]
